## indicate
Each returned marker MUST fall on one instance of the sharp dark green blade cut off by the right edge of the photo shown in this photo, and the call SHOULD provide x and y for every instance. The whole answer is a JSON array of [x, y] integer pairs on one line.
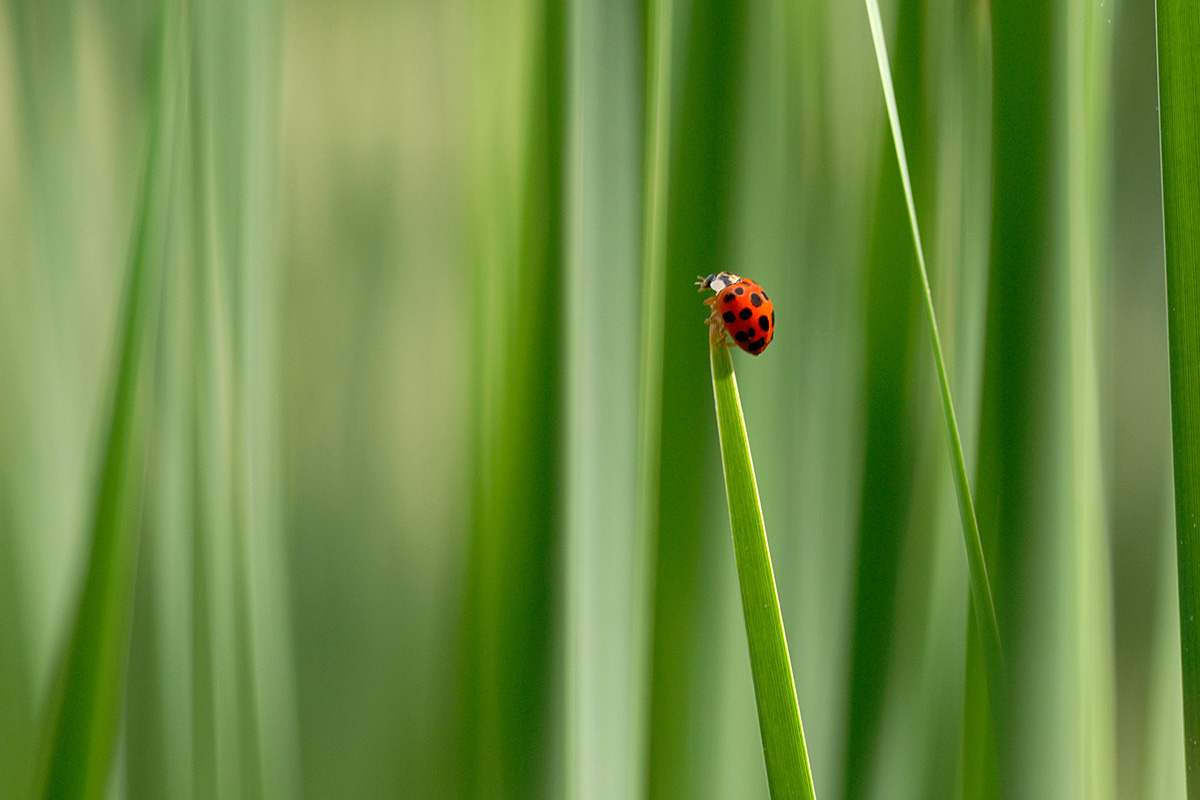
[[1179, 92]]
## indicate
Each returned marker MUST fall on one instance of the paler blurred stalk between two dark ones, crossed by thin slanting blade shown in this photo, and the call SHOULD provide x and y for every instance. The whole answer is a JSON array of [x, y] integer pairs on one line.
[[961, 252]]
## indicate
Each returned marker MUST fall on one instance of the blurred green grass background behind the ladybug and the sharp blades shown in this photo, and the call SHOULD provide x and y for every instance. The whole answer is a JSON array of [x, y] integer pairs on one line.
[[433, 504]]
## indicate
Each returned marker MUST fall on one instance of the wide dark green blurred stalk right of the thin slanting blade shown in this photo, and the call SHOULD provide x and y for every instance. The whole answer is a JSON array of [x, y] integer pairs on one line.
[[1016, 456]]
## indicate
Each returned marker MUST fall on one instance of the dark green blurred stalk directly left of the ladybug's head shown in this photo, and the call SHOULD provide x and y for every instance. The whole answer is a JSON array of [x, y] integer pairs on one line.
[[699, 220]]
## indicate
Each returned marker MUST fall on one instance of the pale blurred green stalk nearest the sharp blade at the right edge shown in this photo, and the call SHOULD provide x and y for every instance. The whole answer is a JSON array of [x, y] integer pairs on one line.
[[1084, 560]]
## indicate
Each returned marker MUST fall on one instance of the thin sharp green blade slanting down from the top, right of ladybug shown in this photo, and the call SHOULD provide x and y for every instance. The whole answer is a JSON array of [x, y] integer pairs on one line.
[[981, 588]]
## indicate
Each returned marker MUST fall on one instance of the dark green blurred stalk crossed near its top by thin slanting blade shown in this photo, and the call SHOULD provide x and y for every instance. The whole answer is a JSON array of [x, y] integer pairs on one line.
[[890, 490]]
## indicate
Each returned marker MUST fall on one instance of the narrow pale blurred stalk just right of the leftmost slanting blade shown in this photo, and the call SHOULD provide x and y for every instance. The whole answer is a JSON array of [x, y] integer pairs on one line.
[[217, 705]]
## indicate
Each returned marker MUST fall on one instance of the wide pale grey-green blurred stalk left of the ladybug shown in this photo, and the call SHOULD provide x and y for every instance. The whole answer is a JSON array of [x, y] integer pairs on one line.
[[605, 556]]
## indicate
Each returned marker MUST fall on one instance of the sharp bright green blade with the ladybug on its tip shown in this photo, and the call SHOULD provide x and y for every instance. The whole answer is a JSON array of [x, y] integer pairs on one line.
[[779, 715]]
